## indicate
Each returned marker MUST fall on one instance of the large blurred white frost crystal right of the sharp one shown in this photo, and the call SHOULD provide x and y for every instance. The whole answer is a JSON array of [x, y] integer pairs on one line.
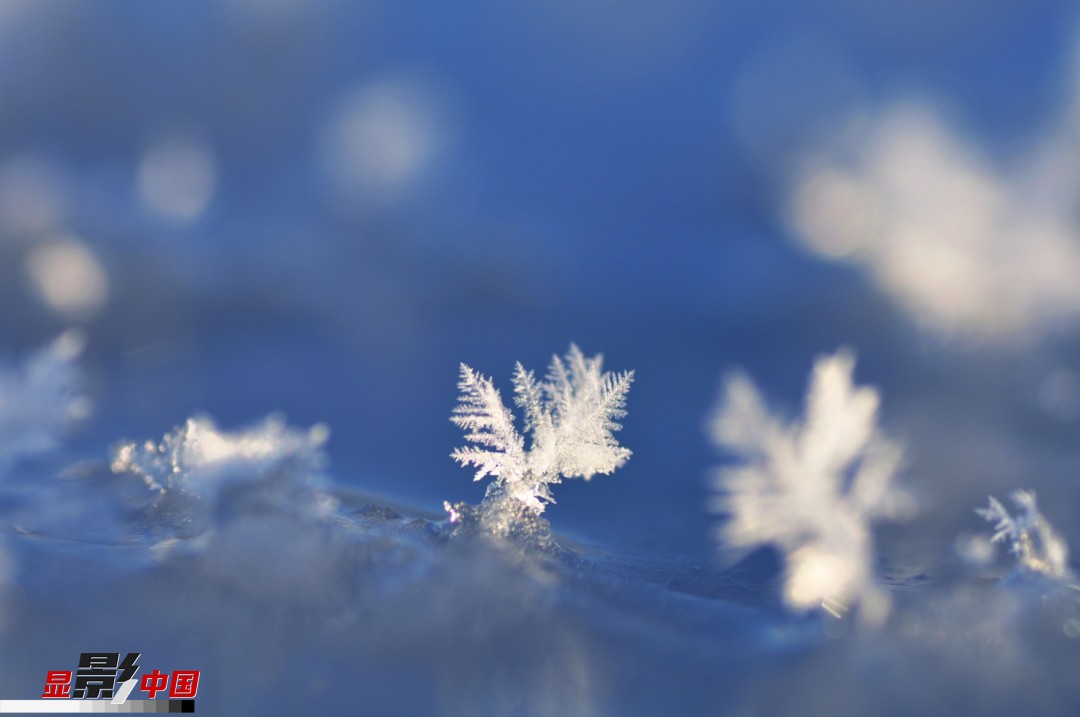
[[812, 489]]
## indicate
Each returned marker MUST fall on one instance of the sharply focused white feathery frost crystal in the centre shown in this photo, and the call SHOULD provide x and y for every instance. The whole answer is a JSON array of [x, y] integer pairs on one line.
[[571, 417]]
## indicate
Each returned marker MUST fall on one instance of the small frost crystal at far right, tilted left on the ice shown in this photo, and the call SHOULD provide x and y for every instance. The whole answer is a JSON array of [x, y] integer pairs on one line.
[[1037, 548]]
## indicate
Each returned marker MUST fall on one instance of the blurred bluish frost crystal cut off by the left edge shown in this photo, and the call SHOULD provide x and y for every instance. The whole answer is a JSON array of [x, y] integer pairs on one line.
[[42, 398]]
